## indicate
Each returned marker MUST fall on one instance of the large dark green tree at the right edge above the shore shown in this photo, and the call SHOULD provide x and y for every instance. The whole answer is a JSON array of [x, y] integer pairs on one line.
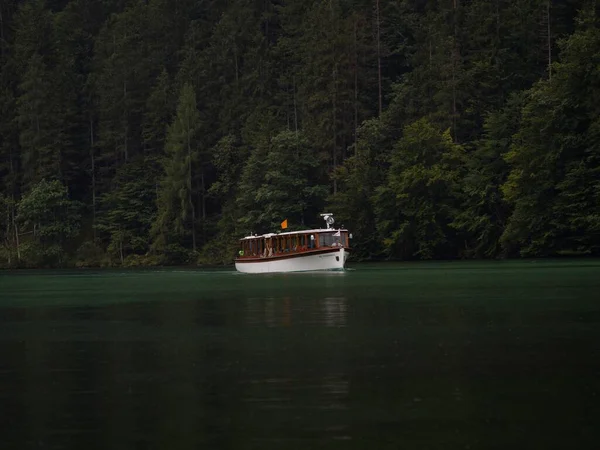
[[553, 182]]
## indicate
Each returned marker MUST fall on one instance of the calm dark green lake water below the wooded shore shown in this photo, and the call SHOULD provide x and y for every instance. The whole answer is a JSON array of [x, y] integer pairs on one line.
[[399, 356]]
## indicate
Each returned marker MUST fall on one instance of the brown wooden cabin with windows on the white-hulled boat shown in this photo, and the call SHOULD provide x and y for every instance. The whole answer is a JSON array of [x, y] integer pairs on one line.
[[291, 243]]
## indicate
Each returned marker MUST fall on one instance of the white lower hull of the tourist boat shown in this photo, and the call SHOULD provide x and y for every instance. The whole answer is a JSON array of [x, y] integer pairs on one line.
[[329, 259]]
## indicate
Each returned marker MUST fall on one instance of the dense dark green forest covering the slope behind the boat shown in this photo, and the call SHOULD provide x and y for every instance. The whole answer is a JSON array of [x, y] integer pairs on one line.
[[154, 132]]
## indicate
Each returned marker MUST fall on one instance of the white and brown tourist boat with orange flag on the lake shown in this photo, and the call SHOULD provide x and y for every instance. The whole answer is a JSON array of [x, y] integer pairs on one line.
[[295, 251]]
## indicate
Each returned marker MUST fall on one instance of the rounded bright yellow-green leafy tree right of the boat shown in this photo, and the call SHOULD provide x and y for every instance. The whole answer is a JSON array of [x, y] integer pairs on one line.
[[416, 205]]
